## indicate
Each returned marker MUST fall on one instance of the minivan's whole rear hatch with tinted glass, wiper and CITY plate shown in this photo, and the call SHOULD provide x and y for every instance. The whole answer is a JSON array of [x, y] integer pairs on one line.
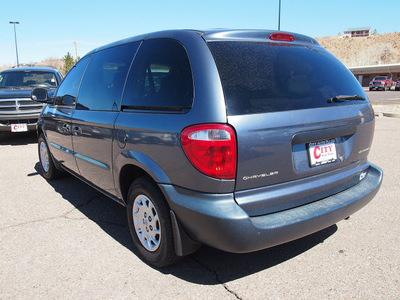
[[304, 124]]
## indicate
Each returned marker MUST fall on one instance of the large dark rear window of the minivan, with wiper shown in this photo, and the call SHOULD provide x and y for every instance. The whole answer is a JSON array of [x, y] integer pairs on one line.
[[266, 77]]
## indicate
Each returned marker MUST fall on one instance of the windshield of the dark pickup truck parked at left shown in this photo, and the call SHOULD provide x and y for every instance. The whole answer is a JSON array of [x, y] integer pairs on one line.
[[28, 79]]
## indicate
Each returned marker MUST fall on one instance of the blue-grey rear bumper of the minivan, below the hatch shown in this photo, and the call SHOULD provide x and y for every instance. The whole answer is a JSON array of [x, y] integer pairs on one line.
[[216, 220]]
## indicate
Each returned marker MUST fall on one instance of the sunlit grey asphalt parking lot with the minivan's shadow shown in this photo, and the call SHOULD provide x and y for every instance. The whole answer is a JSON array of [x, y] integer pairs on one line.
[[64, 240]]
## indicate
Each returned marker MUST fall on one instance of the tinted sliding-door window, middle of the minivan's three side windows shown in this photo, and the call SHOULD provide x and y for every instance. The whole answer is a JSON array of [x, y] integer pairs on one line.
[[104, 78]]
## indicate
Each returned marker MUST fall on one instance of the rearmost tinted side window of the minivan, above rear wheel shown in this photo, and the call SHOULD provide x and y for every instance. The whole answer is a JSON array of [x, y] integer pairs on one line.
[[161, 77]]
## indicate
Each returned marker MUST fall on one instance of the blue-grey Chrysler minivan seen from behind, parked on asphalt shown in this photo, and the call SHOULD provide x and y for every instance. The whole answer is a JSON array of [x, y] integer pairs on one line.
[[238, 139]]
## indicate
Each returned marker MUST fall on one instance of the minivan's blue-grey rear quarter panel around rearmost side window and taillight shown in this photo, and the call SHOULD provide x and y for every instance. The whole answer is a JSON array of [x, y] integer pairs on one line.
[[155, 136]]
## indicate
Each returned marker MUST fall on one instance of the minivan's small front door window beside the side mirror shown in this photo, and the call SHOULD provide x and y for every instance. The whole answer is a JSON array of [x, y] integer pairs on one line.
[[68, 89]]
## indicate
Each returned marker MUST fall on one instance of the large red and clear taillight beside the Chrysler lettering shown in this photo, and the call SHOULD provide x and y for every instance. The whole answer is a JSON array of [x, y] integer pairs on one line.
[[212, 149]]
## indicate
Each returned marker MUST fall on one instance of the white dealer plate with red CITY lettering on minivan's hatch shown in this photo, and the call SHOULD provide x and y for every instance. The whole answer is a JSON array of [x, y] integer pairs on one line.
[[322, 152]]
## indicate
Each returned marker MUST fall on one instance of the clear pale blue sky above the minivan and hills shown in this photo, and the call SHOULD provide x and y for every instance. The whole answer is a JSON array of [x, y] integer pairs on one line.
[[49, 28]]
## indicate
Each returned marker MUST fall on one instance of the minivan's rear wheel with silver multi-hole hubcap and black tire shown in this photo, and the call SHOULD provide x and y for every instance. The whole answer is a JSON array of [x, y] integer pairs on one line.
[[150, 224]]
